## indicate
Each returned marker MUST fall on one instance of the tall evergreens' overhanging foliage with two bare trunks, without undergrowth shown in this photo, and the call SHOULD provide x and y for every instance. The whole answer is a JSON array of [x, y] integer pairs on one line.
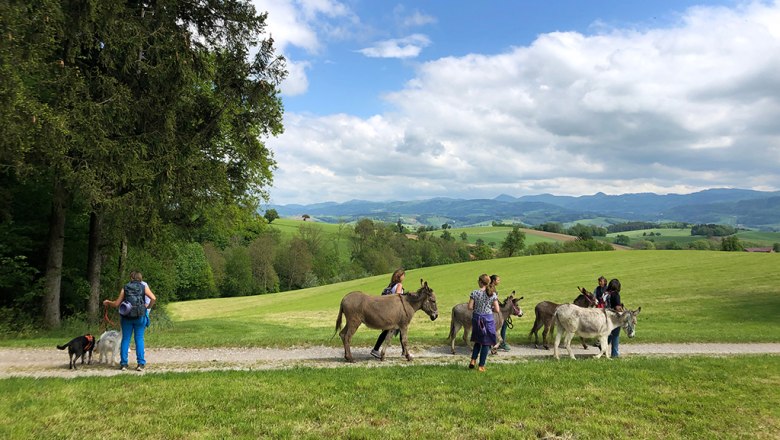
[[149, 112]]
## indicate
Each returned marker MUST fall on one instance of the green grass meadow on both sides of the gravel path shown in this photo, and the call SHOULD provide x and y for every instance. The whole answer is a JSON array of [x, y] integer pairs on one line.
[[686, 296]]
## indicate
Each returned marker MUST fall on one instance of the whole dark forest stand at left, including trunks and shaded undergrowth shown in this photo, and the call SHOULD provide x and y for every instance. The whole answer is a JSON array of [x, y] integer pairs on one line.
[[129, 132]]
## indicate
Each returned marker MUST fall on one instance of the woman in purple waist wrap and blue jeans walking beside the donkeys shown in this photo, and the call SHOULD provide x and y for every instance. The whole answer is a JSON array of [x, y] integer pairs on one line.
[[483, 302]]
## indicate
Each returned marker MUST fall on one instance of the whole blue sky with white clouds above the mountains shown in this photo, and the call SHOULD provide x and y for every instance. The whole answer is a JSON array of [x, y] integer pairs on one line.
[[410, 100]]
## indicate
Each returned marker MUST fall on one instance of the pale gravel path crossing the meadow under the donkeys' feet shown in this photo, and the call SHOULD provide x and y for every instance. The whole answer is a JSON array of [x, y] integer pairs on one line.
[[28, 362]]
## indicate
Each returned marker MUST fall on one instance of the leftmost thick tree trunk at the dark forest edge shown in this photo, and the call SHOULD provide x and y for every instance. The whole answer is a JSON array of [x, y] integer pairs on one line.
[[51, 294]]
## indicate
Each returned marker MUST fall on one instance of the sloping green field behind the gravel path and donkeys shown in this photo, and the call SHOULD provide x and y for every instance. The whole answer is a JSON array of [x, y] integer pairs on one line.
[[686, 296]]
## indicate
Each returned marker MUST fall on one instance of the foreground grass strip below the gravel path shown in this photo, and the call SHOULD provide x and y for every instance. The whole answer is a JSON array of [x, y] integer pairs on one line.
[[647, 398]]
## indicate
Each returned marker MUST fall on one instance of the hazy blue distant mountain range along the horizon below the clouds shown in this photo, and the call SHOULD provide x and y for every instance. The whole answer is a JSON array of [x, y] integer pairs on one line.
[[736, 207]]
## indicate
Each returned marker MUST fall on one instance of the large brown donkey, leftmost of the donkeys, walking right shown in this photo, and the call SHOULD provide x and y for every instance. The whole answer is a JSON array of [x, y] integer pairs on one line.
[[387, 312]]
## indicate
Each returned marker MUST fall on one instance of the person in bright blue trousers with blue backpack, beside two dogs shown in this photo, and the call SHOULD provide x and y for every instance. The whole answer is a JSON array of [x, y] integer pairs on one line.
[[132, 311]]
